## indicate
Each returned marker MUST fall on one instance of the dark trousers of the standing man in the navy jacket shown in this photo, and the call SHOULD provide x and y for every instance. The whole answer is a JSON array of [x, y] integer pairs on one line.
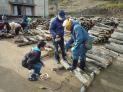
[[58, 44]]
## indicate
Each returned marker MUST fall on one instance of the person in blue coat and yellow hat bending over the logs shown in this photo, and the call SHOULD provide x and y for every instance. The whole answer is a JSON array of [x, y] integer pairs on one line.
[[78, 36]]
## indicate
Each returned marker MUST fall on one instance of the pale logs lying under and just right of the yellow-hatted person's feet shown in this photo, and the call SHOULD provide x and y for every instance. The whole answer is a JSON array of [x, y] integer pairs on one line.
[[98, 58]]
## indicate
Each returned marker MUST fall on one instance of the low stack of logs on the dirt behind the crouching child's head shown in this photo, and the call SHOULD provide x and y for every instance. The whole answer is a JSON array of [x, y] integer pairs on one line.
[[32, 37]]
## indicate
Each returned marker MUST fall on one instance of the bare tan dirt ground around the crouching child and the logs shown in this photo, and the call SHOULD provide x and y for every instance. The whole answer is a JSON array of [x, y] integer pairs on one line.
[[13, 77]]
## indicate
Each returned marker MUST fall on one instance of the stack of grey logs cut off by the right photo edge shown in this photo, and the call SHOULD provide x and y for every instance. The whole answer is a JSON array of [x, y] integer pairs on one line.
[[116, 44]]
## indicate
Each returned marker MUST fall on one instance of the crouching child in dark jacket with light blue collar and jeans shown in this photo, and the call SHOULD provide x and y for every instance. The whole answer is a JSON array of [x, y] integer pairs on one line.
[[34, 63]]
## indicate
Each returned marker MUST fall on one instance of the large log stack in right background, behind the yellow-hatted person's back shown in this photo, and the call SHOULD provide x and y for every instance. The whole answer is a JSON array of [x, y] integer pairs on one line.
[[100, 28]]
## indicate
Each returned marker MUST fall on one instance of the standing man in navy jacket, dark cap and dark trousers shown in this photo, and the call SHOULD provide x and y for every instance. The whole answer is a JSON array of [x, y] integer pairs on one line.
[[57, 32]]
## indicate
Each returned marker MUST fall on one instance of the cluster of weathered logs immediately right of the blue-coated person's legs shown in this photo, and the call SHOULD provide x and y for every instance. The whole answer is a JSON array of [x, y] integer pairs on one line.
[[100, 56]]
